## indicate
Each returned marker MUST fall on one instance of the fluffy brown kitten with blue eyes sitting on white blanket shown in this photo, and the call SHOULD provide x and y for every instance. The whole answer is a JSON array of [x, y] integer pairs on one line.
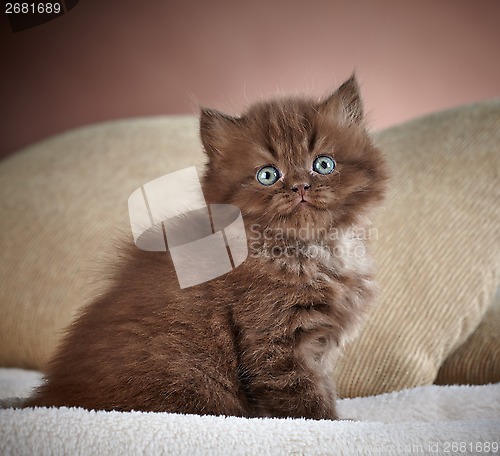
[[262, 339]]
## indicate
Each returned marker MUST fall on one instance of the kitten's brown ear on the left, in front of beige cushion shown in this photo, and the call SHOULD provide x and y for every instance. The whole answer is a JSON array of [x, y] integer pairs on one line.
[[215, 127]]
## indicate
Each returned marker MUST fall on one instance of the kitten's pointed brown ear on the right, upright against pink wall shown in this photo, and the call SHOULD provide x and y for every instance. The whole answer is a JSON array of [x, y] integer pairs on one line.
[[345, 102]]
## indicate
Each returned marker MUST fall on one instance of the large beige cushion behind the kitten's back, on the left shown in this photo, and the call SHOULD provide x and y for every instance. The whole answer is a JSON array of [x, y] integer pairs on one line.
[[63, 202]]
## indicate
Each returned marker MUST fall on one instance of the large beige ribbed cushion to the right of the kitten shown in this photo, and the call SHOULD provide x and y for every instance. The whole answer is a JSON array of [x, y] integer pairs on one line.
[[438, 250]]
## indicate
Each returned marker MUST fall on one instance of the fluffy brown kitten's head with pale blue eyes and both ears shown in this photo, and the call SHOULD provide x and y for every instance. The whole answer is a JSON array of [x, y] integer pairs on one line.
[[295, 163]]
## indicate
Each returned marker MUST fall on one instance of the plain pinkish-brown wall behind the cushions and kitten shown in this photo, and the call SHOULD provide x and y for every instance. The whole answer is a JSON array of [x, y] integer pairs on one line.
[[109, 59]]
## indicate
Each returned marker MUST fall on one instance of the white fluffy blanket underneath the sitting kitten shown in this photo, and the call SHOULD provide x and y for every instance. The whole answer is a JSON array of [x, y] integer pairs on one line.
[[425, 420]]
